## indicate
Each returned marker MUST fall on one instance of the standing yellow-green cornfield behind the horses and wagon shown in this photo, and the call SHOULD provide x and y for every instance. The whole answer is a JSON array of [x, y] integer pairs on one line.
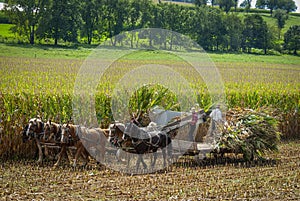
[[32, 87]]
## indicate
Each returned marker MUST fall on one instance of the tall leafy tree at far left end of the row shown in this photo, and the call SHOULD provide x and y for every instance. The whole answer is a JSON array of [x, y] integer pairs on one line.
[[25, 14]]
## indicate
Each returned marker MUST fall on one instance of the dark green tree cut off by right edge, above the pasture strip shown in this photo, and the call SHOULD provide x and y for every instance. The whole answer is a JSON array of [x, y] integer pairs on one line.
[[292, 39]]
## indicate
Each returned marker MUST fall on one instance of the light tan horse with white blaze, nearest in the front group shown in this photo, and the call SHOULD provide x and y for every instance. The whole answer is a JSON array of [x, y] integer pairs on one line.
[[77, 135]]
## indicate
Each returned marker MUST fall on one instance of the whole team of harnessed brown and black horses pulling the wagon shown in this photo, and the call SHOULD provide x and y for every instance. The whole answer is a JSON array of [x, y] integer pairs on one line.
[[92, 141]]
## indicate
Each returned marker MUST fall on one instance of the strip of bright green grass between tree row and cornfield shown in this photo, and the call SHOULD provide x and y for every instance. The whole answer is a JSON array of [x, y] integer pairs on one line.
[[73, 52]]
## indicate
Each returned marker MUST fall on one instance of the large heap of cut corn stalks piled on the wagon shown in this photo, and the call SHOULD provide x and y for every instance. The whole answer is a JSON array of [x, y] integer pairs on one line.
[[248, 132]]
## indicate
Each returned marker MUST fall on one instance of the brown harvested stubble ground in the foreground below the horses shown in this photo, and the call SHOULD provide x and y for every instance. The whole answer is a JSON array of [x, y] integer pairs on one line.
[[275, 178]]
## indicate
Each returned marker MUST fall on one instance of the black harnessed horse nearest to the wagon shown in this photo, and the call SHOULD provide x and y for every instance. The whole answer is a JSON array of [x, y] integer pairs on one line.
[[148, 140]]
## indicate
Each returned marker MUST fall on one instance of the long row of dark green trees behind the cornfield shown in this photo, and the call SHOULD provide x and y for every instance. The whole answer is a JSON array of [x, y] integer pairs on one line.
[[96, 20]]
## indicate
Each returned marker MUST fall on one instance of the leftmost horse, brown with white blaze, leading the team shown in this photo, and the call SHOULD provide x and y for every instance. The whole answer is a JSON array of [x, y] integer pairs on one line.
[[34, 130]]
